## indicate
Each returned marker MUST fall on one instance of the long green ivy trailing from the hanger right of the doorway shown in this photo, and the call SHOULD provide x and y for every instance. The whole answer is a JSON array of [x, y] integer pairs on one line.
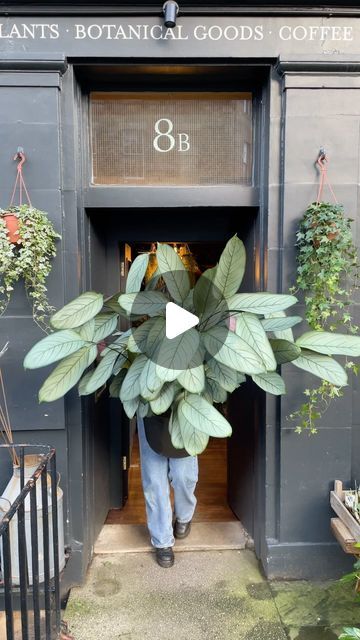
[[328, 274]]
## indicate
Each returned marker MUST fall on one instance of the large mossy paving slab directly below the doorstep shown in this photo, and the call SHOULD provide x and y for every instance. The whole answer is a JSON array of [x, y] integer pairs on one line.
[[217, 595]]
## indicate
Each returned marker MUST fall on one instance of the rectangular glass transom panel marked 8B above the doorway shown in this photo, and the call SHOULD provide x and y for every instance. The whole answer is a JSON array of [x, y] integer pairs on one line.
[[171, 138]]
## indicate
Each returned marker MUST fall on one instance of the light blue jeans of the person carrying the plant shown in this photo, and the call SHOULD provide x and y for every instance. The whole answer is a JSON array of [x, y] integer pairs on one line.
[[156, 473]]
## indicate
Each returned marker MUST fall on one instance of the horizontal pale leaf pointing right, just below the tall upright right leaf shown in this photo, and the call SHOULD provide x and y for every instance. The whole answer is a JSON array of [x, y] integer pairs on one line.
[[260, 303]]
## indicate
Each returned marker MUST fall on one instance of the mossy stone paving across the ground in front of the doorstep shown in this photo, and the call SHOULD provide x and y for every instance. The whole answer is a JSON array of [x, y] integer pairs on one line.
[[217, 595]]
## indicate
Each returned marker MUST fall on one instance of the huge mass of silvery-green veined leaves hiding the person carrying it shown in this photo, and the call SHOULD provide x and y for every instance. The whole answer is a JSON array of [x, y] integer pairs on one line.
[[140, 363]]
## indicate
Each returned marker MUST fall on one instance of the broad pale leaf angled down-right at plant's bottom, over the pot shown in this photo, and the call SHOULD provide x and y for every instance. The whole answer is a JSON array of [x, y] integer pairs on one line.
[[203, 416]]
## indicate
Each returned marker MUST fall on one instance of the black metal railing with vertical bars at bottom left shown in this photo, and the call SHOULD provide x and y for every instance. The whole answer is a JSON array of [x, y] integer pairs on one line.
[[32, 607]]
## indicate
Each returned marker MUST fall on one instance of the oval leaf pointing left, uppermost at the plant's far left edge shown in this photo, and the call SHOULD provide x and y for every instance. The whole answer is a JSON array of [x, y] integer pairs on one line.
[[78, 311]]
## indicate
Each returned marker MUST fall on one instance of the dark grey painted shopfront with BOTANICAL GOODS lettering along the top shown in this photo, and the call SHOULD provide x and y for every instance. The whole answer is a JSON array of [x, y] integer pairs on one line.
[[296, 72]]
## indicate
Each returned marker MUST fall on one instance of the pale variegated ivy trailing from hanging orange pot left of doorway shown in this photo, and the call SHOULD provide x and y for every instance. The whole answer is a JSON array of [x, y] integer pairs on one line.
[[29, 259]]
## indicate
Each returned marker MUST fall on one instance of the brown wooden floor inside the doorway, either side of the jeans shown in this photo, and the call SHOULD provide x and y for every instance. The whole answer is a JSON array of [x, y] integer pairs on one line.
[[210, 492]]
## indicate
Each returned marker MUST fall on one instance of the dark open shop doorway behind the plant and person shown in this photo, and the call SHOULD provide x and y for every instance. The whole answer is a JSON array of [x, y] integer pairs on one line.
[[226, 488]]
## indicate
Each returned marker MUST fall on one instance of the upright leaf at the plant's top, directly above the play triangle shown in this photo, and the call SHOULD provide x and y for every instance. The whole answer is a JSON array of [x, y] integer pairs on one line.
[[173, 271]]
